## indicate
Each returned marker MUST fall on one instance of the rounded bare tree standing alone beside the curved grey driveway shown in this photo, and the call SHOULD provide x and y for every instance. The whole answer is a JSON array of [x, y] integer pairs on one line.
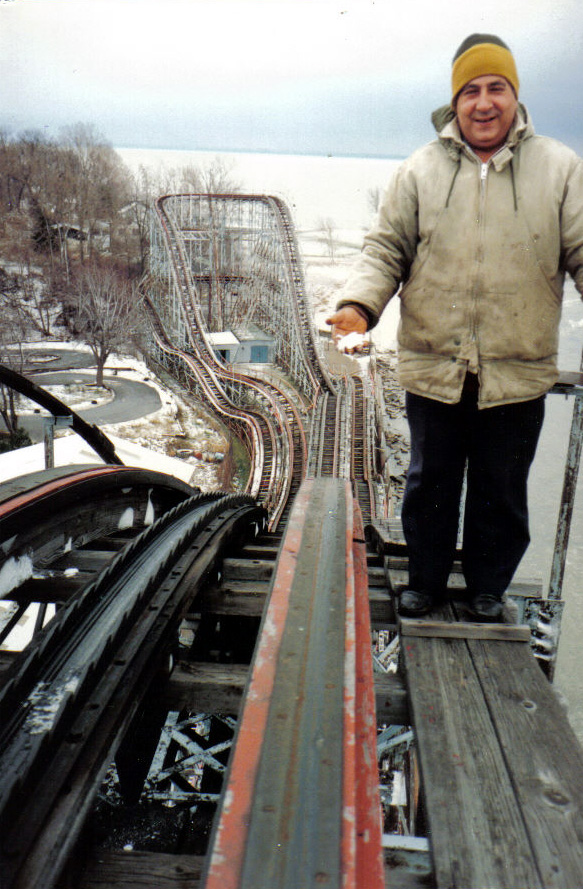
[[107, 313]]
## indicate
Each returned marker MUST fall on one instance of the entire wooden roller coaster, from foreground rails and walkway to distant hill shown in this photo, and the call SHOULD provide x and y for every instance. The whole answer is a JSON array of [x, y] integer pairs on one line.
[[199, 701]]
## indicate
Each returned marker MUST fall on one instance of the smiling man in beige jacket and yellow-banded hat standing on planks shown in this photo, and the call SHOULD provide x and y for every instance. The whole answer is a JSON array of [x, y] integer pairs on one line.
[[476, 232]]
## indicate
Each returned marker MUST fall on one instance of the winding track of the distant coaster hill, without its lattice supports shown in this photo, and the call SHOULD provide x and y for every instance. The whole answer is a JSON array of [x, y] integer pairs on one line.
[[228, 389]]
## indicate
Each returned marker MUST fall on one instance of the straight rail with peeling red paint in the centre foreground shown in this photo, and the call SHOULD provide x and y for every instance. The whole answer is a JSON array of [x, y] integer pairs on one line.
[[301, 804]]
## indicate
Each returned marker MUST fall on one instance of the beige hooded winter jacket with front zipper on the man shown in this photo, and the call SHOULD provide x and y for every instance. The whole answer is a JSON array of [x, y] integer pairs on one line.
[[480, 252]]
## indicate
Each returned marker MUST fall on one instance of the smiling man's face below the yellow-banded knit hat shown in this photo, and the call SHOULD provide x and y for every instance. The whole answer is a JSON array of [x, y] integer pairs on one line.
[[485, 110]]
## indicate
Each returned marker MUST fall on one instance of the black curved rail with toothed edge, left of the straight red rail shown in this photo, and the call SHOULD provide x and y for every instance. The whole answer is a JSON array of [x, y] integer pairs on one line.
[[72, 695]]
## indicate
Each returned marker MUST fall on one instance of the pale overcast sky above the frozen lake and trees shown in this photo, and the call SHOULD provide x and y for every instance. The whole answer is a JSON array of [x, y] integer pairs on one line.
[[305, 76]]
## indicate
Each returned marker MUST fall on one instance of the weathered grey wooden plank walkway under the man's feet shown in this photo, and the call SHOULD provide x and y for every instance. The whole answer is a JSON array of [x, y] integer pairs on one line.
[[502, 770]]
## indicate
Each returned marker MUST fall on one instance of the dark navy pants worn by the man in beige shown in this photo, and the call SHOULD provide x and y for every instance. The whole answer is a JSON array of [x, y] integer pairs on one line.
[[498, 445]]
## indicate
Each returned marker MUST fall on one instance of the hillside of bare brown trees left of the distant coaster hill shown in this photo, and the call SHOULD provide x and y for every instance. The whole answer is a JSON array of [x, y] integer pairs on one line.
[[74, 238]]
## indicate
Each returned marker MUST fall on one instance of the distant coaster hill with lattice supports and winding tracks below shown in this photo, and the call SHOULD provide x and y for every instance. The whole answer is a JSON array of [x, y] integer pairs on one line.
[[231, 260]]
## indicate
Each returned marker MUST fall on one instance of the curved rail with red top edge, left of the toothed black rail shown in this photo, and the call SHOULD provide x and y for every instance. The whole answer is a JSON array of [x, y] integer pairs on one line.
[[47, 518]]
